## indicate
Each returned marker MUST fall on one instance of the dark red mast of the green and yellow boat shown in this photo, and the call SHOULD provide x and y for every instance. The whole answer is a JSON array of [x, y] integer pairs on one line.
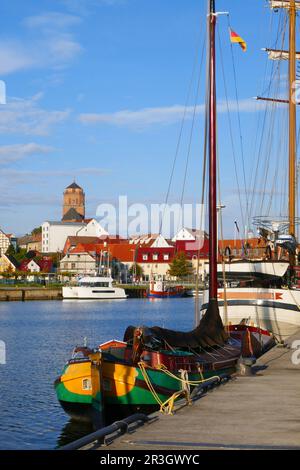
[[213, 285]]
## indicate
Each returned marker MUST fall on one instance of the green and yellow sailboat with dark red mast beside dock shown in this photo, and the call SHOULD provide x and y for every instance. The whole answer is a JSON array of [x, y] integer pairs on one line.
[[154, 366]]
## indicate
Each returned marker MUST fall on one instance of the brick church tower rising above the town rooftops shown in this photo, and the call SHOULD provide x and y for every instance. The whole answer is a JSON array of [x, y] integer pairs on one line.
[[73, 203]]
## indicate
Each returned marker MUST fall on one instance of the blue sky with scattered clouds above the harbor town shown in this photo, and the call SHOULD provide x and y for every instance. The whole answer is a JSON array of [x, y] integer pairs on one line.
[[96, 92]]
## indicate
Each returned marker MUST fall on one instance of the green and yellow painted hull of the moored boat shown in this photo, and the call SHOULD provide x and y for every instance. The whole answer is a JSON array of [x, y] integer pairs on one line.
[[130, 386]]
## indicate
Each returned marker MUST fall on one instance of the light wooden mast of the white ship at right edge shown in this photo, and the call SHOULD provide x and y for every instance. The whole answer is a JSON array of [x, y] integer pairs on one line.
[[292, 117]]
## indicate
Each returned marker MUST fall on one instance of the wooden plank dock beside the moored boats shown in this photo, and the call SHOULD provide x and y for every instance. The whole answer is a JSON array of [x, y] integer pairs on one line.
[[261, 411]]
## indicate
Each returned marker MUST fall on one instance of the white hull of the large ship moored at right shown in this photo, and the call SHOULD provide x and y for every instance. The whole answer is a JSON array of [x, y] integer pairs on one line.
[[277, 310]]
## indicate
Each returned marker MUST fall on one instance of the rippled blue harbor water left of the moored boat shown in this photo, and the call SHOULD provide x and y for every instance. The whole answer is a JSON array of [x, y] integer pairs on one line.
[[39, 338]]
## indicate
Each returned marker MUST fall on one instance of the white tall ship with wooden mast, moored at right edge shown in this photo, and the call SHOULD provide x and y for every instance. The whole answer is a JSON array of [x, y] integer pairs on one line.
[[271, 299]]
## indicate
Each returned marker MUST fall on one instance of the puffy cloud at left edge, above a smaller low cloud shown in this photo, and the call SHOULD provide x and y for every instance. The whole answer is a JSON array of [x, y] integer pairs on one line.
[[25, 116]]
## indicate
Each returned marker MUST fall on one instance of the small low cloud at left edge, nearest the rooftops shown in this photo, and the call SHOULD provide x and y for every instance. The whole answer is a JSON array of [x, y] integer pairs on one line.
[[10, 153]]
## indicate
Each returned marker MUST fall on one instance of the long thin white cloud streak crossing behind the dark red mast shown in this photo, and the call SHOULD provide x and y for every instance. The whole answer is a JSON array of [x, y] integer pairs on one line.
[[162, 115]]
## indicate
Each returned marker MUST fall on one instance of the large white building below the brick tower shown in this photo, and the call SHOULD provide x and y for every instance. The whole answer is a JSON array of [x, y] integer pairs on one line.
[[55, 234]]
